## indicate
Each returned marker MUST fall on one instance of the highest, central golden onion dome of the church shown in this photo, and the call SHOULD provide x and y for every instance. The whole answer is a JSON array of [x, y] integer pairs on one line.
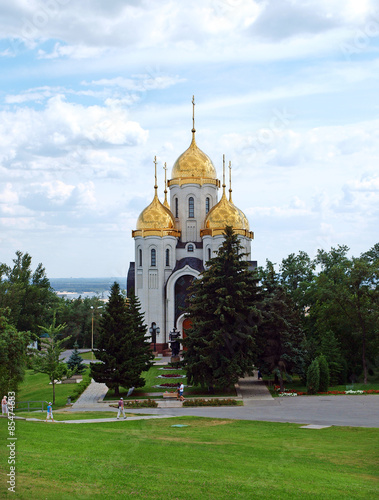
[[193, 166]]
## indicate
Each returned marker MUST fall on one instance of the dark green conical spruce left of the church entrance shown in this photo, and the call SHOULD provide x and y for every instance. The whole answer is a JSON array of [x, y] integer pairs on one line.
[[122, 345]]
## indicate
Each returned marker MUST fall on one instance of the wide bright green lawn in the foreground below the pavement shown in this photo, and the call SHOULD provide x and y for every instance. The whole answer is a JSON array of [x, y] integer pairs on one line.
[[209, 459]]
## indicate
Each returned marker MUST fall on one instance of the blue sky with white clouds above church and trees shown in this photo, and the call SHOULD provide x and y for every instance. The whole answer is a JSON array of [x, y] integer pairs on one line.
[[91, 91]]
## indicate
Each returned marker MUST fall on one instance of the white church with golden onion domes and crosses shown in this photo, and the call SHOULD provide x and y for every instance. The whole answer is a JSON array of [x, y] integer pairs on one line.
[[174, 240]]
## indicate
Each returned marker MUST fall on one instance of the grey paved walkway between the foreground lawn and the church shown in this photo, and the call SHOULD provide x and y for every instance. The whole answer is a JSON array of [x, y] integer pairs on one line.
[[355, 411]]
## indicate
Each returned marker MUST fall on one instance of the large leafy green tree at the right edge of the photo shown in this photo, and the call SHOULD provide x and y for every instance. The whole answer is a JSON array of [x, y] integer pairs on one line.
[[348, 302]]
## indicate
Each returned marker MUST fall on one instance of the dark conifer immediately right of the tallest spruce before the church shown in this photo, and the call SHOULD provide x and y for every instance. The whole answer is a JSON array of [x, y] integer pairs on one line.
[[281, 337]]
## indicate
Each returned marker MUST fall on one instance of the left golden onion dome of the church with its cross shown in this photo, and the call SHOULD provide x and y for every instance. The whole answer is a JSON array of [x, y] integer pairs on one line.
[[155, 219]]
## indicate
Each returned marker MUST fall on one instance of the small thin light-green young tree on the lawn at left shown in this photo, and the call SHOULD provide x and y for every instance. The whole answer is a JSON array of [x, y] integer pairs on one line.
[[47, 360]]
